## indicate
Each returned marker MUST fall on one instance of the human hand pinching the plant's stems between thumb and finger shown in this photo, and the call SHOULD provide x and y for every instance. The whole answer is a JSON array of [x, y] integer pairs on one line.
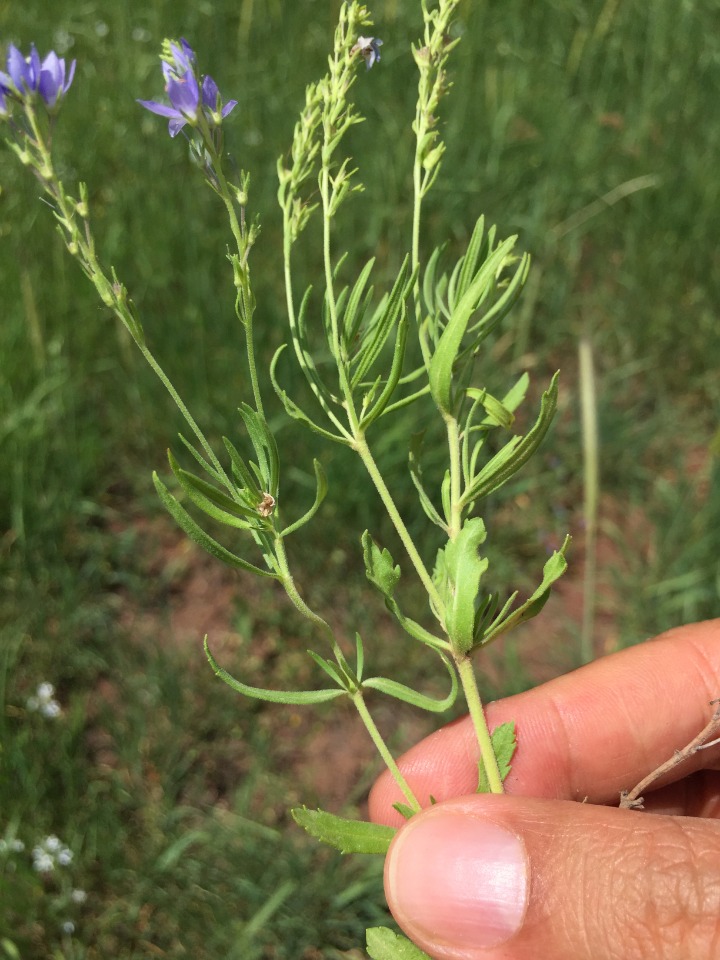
[[531, 875]]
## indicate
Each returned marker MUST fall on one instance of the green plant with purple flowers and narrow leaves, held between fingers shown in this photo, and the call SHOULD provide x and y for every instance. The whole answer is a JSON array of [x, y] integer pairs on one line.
[[451, 309]]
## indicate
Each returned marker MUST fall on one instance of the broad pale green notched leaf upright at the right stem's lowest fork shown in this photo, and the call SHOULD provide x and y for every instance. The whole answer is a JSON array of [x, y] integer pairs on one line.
[[463, 569]]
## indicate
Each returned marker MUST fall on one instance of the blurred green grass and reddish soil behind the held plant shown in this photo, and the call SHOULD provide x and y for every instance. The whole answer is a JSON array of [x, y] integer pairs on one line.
[[590, 128]]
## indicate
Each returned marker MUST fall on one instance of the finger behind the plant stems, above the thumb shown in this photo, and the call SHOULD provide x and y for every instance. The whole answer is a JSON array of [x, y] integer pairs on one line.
[[586, 735]]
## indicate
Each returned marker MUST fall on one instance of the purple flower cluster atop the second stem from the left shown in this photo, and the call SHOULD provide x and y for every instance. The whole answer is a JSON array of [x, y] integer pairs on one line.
[[187, 96]]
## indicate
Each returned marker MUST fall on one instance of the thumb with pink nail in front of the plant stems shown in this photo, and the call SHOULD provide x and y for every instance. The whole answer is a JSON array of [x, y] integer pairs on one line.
[[511, 878]]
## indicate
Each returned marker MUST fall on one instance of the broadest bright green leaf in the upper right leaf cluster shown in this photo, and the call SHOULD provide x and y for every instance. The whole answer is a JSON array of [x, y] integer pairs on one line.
[[450, 343]]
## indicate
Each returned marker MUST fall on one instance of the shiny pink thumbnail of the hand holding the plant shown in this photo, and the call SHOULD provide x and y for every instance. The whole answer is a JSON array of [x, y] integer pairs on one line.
[[457, 880]]
